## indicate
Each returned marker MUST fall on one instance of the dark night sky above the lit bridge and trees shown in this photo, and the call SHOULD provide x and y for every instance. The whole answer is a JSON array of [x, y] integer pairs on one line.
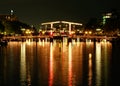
[[37, 11]]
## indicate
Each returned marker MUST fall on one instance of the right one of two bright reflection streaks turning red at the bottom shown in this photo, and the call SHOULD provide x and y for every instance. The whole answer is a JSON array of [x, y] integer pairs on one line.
[[70, 65]]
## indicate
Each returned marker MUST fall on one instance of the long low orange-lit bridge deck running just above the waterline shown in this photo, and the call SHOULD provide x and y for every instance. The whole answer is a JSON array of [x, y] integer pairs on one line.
[[20, 38]]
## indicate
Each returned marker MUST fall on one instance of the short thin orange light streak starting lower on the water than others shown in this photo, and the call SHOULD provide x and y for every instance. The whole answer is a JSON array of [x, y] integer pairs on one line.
[[90, 70]]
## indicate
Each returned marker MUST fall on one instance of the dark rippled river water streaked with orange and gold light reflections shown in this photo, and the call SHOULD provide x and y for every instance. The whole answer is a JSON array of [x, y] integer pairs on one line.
[[59, 64]]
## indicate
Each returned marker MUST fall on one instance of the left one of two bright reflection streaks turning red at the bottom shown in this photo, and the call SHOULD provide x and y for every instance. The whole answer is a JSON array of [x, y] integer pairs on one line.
[[51, 65]]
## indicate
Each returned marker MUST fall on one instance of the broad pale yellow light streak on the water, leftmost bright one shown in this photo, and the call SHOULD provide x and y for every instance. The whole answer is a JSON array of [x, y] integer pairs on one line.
[[23, 65]]
